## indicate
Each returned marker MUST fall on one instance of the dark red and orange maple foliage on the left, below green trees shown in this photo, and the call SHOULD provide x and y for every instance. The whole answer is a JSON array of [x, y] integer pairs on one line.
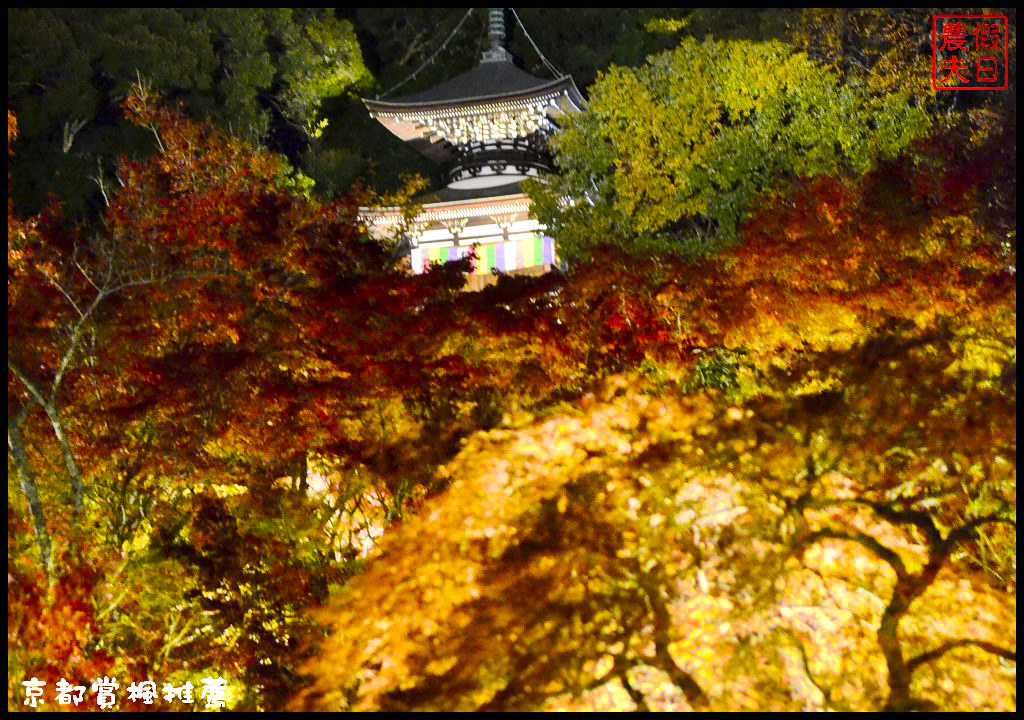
[[216, 332]]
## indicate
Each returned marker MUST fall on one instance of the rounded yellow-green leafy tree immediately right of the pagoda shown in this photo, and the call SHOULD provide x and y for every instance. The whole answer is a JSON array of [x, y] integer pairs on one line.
[[670, 157]]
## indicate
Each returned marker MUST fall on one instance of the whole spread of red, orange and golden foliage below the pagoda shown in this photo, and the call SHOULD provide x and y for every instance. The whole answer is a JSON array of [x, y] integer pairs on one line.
[[247, 443]]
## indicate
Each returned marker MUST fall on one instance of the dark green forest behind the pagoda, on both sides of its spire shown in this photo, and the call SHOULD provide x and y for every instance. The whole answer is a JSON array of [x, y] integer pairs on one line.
[[287, 78]]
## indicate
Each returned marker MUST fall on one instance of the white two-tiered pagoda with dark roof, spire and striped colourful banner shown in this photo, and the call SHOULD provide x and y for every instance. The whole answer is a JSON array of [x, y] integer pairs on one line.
[[490, 130]]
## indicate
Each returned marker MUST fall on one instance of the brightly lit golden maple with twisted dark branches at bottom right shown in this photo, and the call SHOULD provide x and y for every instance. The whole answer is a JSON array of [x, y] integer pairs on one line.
[[814, 546]]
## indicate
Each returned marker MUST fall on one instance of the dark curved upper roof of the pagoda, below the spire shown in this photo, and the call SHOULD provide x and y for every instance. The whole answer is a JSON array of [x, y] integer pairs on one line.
[[487, 82]]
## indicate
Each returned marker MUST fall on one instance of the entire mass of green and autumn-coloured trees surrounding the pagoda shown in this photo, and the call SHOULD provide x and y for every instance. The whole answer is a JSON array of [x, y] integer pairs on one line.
[[755, 449]]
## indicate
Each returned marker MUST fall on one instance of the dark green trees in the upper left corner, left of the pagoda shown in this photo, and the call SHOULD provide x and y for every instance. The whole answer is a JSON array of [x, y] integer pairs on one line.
[[261, 73]]
